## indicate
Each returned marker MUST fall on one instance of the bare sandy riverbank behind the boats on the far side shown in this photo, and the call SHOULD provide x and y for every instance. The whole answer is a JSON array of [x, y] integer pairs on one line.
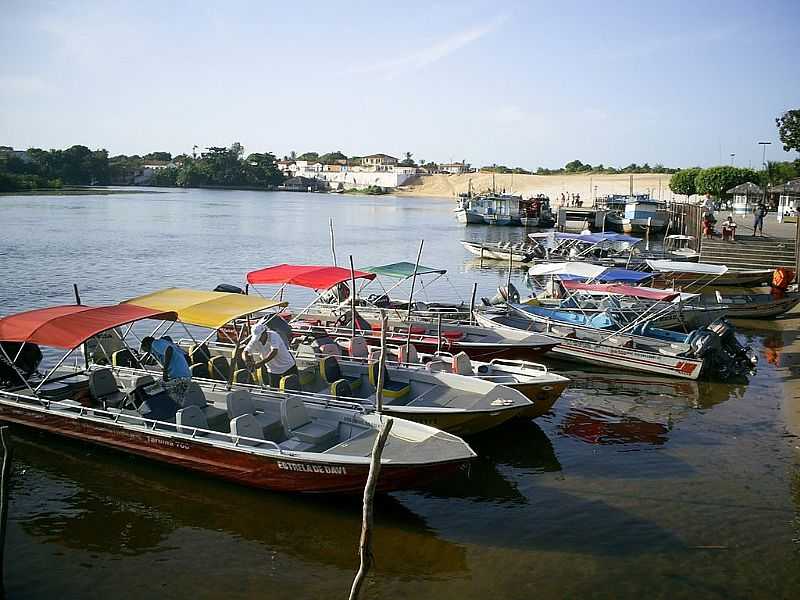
[[588, 186]]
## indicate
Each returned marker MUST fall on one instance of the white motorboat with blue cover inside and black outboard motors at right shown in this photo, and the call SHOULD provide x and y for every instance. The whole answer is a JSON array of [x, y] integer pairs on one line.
[[600, 340]]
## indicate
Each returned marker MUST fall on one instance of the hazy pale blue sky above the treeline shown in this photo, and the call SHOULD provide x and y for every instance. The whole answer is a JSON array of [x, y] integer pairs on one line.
[[521, 83]]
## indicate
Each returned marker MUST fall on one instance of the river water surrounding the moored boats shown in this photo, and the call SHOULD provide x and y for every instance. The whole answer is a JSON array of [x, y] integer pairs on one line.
[[632, 487]]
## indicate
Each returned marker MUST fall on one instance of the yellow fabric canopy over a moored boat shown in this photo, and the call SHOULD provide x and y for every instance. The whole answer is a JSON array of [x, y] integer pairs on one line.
[[205, 309]]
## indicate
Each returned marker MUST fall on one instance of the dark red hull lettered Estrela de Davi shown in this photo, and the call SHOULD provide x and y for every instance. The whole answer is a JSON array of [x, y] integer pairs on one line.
[[284, 473]]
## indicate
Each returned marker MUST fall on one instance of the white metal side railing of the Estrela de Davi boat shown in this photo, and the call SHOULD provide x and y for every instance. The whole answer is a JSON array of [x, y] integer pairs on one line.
[[100, 415]]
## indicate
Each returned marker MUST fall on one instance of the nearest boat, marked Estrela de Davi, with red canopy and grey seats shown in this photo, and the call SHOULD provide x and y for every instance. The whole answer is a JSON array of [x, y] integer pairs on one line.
[[278, 443]]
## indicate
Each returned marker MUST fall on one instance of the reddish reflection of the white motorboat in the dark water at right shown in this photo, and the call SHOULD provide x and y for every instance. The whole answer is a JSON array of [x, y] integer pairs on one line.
[[630, 408]]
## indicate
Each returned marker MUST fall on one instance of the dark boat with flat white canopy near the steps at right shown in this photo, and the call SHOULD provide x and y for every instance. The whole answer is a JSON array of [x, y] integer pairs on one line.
[[687, 273]]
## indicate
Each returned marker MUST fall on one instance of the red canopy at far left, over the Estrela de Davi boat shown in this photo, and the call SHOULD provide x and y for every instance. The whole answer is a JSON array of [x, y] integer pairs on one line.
[[70, 325]]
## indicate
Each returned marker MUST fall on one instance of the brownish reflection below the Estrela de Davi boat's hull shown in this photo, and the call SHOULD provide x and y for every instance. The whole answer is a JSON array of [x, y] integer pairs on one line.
[[103, 502]]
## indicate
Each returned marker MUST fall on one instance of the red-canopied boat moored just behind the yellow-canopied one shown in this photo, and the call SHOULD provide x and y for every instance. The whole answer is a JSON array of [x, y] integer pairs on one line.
[[477, 342]]
